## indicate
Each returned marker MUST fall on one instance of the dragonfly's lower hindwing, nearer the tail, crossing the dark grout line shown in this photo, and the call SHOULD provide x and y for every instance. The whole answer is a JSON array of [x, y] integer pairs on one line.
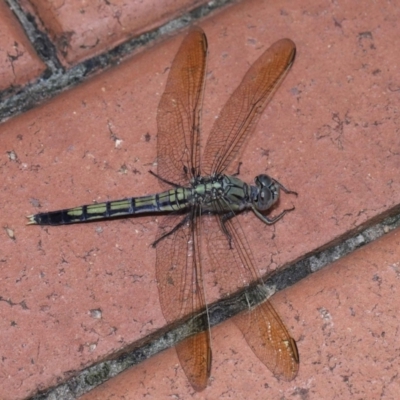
[[180, 285]]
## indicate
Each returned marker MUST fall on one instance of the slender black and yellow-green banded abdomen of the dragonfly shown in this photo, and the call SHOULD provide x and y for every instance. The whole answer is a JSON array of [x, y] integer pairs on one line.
[[172, 200]]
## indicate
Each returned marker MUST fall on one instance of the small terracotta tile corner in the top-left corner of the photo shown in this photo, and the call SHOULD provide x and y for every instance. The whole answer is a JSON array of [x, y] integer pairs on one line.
[[19, 64]]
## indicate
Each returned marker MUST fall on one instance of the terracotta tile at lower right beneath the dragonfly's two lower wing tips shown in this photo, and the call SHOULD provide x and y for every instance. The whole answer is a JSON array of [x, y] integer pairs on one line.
[[344, 319]]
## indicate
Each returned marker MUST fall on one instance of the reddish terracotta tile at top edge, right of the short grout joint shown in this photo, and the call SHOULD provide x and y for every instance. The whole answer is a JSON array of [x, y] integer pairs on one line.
[[81, 30]]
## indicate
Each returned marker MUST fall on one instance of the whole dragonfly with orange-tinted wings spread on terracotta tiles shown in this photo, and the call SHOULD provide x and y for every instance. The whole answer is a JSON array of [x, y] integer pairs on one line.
[[201, 200]]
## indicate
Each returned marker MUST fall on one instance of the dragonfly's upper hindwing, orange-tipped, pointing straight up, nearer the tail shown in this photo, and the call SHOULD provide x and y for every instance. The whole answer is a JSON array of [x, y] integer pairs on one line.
[[179, 112]]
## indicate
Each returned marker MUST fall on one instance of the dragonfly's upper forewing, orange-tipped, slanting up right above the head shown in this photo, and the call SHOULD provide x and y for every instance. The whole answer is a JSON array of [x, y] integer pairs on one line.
[[242, 111]]
